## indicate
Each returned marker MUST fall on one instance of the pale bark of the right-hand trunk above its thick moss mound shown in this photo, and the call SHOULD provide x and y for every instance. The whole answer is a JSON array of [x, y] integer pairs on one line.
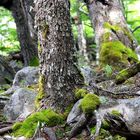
[[109, 23]]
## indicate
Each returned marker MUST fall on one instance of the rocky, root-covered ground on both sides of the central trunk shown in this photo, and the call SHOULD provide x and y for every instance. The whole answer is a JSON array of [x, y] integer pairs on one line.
[[117, 113]]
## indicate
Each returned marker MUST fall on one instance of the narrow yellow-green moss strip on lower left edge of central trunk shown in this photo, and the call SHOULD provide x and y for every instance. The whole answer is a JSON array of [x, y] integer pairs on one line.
[[41, 93]]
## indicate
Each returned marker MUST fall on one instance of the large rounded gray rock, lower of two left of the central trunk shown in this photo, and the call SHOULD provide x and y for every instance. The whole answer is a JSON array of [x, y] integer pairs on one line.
[[20, 105]]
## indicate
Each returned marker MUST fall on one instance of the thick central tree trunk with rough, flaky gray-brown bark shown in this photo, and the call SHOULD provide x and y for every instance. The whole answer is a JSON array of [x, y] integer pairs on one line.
[[59, 75]]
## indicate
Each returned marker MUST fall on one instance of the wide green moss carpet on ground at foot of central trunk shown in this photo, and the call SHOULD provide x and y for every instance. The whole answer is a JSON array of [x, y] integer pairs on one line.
[[28, 127]]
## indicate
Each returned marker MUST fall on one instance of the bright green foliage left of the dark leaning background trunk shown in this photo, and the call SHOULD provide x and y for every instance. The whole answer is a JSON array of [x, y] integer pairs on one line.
[[8, 34]]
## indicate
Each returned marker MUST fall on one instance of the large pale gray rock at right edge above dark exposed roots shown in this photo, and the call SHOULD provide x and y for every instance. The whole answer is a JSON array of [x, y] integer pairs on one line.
[[129, 109]]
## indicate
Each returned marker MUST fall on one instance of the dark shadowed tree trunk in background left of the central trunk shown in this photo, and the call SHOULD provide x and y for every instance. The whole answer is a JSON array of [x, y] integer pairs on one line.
[[24, 19]]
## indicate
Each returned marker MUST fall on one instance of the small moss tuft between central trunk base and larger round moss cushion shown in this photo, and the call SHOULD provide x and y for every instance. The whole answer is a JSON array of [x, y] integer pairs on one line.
[[80, 93]]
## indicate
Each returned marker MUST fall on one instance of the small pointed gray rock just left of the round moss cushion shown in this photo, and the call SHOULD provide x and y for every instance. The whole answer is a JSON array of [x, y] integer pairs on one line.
[[74, 114]]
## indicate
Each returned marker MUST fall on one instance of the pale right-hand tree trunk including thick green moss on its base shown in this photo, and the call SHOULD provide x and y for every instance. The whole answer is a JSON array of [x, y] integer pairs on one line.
[[111, 30]]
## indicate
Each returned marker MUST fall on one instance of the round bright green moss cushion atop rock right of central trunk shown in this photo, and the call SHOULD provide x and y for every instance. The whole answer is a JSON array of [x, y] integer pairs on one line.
[[89, 103]]
